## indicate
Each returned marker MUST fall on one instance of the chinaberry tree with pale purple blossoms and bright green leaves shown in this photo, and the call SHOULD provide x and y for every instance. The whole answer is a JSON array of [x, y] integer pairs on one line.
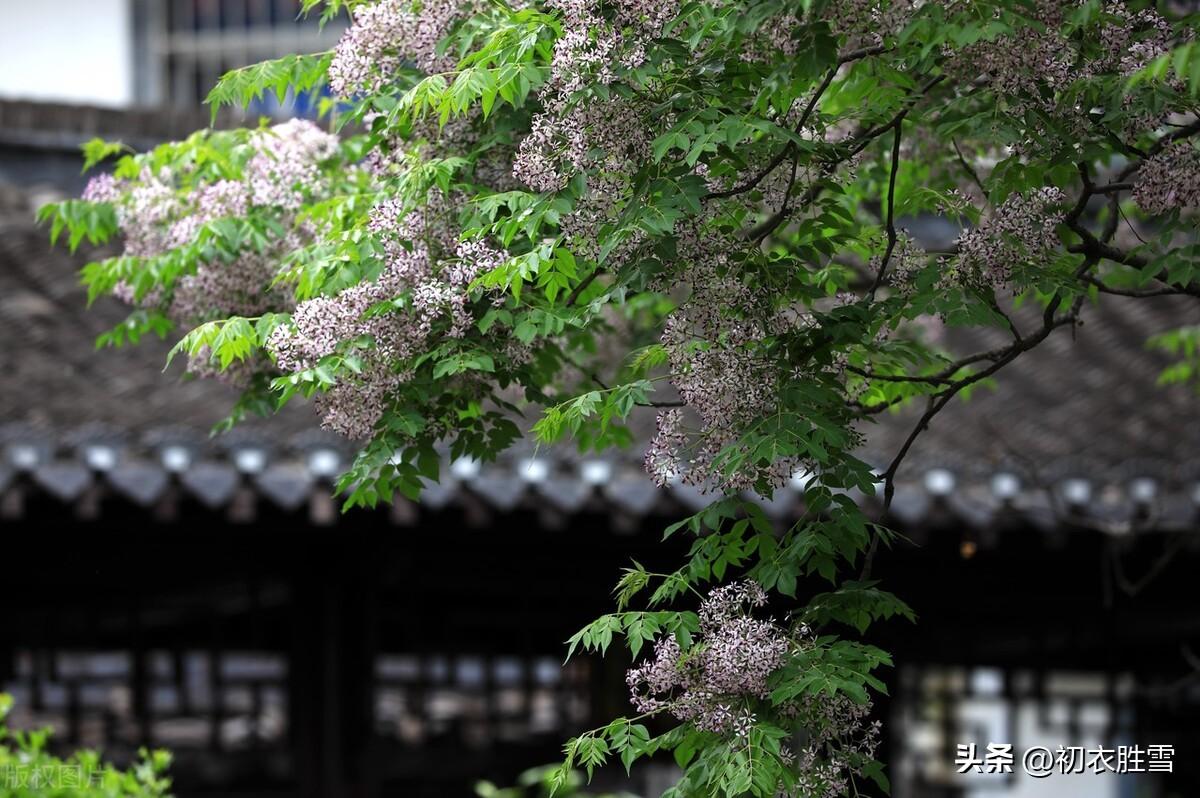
[[538, 219]]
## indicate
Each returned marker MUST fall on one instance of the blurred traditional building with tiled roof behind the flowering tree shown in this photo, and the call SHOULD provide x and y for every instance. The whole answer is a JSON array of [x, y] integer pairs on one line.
[[206, 595]]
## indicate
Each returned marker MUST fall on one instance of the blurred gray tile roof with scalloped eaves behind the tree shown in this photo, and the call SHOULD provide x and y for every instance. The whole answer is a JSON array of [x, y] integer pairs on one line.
[[1079, 421]]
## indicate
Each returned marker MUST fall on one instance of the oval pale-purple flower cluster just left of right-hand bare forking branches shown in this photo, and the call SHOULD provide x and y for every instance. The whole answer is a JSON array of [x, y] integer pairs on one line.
[[1021, 231]]
